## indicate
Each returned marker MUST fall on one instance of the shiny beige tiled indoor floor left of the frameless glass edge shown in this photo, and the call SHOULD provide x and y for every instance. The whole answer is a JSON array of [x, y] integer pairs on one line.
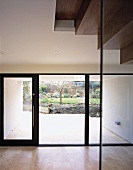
[[48, 158]]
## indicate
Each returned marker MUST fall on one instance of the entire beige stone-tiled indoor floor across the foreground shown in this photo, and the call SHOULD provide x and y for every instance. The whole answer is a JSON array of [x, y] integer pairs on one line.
[[65, 158]]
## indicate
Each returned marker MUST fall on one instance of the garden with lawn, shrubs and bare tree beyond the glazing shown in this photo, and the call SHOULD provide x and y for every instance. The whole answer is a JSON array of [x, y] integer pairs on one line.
[[64, 97]]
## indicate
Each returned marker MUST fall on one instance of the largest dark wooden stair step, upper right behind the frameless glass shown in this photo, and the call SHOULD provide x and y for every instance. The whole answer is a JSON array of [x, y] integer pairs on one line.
[[118, 24]]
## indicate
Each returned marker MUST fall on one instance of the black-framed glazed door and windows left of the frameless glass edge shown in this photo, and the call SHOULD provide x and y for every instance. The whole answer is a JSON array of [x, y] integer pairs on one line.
[[49, 109]]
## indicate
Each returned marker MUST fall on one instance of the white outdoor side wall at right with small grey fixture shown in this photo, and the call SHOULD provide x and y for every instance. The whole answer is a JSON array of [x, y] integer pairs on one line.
[[118, 106]]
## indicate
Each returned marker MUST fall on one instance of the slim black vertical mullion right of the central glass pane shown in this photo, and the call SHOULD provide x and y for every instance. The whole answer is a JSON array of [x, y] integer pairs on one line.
[[86, 110]]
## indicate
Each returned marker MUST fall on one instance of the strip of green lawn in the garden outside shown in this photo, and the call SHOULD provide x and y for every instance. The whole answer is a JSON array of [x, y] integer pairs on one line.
[[69, 100]]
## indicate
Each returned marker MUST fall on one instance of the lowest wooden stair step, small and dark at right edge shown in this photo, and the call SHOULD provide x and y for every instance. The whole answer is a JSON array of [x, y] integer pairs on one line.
[[126, 54]]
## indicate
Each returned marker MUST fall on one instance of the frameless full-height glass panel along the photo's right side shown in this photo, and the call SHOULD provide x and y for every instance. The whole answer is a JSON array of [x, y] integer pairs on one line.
[[117, 84]]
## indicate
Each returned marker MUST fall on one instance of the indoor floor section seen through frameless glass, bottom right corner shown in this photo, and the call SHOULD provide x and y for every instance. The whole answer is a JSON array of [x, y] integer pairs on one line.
[[119, 158]]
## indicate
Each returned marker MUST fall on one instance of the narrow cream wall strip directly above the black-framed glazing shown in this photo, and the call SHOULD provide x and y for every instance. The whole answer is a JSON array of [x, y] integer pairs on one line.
[[50, 68]]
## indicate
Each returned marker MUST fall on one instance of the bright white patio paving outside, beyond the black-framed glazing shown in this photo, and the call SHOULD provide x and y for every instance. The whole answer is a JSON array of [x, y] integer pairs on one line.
[[63, 129]]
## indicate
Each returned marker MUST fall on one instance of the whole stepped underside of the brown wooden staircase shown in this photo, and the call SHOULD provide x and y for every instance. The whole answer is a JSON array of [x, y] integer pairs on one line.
[[118, 22]]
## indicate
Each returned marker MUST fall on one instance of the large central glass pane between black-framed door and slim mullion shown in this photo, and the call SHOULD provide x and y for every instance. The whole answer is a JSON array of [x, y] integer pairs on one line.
[[61, 109]]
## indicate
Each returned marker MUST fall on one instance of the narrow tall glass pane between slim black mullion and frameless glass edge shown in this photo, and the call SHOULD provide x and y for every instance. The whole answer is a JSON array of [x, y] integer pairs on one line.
[[94, 109]]
